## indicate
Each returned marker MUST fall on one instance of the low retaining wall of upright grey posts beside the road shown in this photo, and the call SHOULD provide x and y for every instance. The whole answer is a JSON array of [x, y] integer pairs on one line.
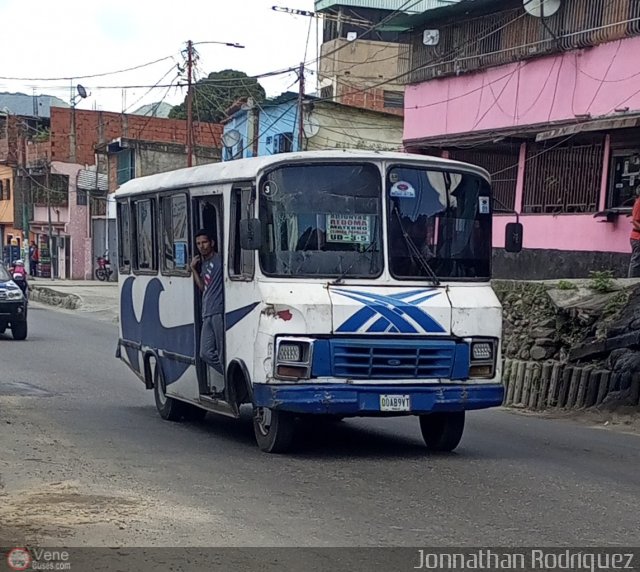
[[554, 385]]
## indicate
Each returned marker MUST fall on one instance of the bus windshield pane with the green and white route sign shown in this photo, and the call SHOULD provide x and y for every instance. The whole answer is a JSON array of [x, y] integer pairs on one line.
[[322, 220]]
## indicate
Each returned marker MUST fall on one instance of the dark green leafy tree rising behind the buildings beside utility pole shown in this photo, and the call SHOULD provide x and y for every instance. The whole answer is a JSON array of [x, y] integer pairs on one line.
[[213, 95]]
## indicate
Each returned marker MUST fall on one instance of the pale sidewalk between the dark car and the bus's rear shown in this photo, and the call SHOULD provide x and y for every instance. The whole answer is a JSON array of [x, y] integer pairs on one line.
[[87, 296]]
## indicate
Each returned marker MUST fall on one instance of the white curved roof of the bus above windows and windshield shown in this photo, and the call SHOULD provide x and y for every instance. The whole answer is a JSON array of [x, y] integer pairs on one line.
[[244, 169]]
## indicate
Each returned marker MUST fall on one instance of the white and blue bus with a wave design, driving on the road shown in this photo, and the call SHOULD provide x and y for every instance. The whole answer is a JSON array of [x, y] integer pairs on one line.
[[355, 284]]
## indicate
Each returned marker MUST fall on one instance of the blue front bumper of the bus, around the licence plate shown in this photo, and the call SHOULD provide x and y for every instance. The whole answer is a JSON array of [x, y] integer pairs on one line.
[[364, 400]]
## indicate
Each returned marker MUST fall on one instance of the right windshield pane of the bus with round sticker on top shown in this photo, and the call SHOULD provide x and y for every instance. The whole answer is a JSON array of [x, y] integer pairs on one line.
[[439, 224]]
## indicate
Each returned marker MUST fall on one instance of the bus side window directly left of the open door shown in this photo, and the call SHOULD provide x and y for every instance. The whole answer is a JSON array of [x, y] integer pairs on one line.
[[175, 232]]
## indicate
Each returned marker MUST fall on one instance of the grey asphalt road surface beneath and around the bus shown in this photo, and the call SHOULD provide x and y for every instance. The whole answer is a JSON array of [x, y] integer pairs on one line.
[[86, 460]]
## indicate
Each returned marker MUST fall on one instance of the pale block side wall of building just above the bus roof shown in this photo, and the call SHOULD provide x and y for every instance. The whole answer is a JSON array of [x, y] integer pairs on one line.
[[344, 127]]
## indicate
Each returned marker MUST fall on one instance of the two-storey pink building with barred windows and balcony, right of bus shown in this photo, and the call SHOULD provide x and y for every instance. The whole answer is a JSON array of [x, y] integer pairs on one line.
[[550, 106]]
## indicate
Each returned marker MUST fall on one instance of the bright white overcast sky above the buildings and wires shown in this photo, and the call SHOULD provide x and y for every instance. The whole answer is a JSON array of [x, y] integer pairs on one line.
[[42, 39]]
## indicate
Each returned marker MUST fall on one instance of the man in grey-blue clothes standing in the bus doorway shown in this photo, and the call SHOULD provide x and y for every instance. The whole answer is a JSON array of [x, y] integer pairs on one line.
[[206, 269]]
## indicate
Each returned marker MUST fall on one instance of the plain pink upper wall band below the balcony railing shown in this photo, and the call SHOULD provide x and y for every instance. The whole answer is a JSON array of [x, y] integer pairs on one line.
[[597, 80]]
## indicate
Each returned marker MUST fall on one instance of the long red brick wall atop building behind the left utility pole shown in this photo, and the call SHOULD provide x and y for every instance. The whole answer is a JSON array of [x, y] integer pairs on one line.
[[94, 127]]
